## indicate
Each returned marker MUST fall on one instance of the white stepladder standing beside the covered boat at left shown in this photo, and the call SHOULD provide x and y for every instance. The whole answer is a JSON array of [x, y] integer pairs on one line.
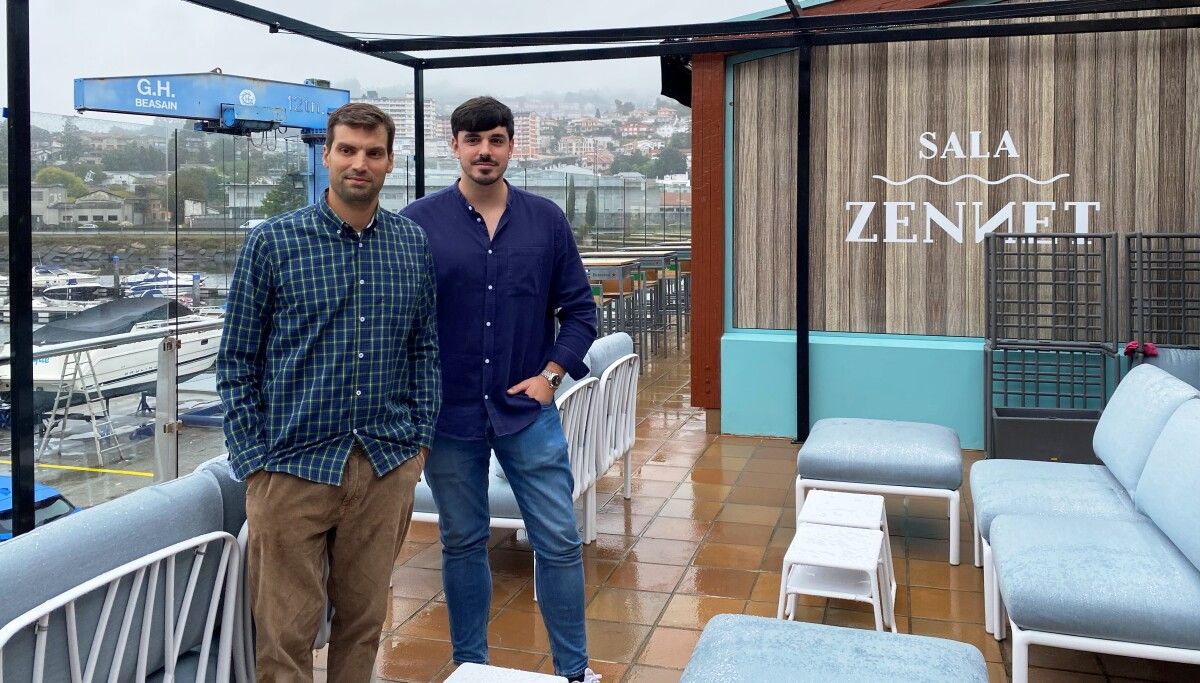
[[79, 379]]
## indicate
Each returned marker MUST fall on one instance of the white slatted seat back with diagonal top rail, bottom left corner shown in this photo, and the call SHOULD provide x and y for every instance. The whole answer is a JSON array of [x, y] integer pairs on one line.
[[140, 608]]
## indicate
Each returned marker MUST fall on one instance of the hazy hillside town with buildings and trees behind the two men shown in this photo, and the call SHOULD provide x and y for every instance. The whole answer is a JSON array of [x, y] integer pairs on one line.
[[125, 176]]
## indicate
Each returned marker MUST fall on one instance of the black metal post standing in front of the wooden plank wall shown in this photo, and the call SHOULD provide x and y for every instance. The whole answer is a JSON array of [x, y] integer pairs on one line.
[[803, 111]]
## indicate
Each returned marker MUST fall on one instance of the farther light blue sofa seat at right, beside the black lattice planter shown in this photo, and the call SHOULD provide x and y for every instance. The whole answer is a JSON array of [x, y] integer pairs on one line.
[[1143, 403]]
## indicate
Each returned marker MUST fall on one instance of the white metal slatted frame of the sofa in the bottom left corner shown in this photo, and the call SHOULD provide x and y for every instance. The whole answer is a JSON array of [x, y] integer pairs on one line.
[[223, 601]]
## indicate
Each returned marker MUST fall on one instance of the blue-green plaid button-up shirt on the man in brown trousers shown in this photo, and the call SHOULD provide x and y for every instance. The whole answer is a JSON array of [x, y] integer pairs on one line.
[[329, 338]]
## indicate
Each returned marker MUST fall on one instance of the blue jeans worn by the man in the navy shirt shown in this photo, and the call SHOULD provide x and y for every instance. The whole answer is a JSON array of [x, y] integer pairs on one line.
[[537, 466]]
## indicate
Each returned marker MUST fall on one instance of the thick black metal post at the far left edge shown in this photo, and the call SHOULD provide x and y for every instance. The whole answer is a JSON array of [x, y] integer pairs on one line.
[[21, 268]]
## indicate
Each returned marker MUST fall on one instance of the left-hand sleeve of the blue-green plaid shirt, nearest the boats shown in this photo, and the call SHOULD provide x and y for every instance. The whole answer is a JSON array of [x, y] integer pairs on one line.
[[243, 356]]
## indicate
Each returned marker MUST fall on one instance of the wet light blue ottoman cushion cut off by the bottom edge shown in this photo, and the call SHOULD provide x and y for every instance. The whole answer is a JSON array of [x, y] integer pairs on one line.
[[737, 649]]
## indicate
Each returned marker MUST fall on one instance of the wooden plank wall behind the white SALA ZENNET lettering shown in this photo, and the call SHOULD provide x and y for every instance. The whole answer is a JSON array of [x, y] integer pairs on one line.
[[1115, 112]]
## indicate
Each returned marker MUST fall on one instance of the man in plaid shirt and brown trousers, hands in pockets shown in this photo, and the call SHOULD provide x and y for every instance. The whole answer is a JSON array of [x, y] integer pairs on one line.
[[329, 376]]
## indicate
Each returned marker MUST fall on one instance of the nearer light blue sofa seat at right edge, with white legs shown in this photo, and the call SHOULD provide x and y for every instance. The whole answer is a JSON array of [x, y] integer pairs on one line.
[[1126, 586]]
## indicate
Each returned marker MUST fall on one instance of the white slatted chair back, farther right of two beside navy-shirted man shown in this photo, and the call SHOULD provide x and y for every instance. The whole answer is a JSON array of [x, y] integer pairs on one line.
[[619, 412]]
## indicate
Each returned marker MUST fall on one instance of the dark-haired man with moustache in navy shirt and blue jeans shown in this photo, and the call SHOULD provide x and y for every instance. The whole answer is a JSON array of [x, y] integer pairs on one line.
[[507, 266]]
